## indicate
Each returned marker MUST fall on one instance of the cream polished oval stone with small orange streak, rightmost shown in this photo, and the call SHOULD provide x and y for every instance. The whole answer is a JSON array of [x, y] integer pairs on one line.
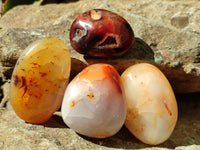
[[152, 110]]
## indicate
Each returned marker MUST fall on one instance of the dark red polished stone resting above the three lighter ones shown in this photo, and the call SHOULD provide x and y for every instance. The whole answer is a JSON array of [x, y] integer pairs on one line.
[[101, 33]]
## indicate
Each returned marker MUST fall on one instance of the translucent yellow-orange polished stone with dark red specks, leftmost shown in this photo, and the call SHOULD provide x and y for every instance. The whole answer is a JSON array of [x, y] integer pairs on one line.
[[39, 80]]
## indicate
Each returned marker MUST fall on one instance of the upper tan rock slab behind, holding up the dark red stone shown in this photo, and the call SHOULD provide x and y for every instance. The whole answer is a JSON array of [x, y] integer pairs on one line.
[[169, 29]]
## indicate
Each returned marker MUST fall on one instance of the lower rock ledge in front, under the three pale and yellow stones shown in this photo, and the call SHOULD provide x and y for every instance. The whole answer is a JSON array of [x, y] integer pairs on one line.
[[16, 134]]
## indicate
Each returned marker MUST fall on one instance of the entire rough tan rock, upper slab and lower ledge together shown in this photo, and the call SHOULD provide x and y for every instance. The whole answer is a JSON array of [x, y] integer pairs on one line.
[[167, 35]]
